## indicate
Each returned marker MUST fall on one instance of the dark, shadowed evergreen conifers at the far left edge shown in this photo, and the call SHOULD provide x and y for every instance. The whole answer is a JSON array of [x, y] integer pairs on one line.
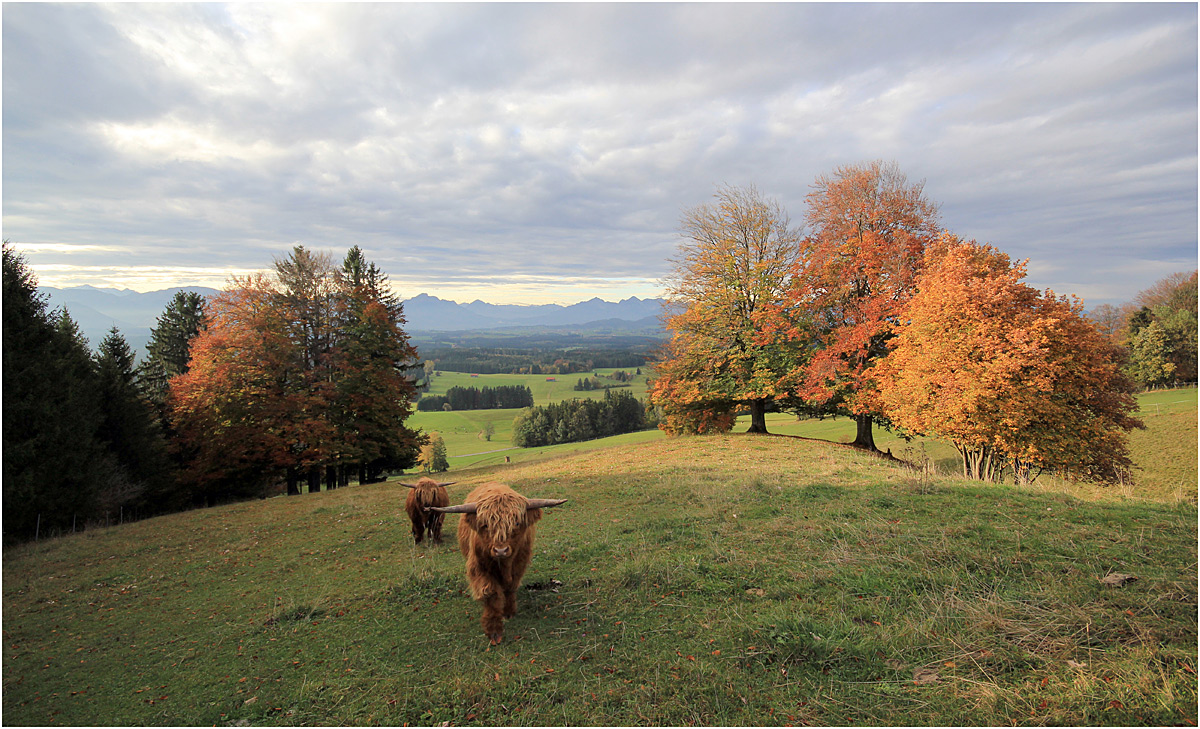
[[81, 445]]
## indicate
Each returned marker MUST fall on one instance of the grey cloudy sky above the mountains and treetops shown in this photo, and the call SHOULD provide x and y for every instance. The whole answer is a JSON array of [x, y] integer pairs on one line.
[[532, 154]]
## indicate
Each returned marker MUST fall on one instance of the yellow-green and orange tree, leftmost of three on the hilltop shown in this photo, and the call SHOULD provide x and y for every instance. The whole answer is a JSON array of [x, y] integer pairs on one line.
[[736, 262]]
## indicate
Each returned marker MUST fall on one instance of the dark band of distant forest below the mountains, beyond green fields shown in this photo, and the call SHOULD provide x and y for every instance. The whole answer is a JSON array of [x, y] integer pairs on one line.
[[533, 362]]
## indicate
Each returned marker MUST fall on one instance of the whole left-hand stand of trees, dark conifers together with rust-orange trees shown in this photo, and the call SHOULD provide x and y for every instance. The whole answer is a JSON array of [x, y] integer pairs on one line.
[[279, 379]]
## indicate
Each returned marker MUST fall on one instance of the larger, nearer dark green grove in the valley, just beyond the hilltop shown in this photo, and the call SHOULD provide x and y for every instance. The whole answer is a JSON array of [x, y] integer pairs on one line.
[[578, 420]]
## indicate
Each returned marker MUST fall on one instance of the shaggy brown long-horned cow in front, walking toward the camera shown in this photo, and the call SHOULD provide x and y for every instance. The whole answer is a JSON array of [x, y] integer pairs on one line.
[[496, 538]]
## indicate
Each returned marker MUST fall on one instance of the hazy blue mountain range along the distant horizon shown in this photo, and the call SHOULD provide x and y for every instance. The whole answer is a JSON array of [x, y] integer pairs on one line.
[[97, 311]]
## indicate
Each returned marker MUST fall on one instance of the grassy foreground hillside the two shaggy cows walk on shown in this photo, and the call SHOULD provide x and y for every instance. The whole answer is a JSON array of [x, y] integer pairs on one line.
[[710, 581]]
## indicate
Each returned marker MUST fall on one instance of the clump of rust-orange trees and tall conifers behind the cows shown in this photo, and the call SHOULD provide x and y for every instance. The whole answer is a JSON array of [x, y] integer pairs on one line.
[[297, 377]]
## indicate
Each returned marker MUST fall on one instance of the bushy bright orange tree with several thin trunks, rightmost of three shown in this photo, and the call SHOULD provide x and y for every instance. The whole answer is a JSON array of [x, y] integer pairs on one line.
[[1018, 381]]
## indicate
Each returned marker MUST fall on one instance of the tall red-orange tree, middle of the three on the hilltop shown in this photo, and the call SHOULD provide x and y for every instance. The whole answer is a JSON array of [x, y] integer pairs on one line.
[[869, 230]]
